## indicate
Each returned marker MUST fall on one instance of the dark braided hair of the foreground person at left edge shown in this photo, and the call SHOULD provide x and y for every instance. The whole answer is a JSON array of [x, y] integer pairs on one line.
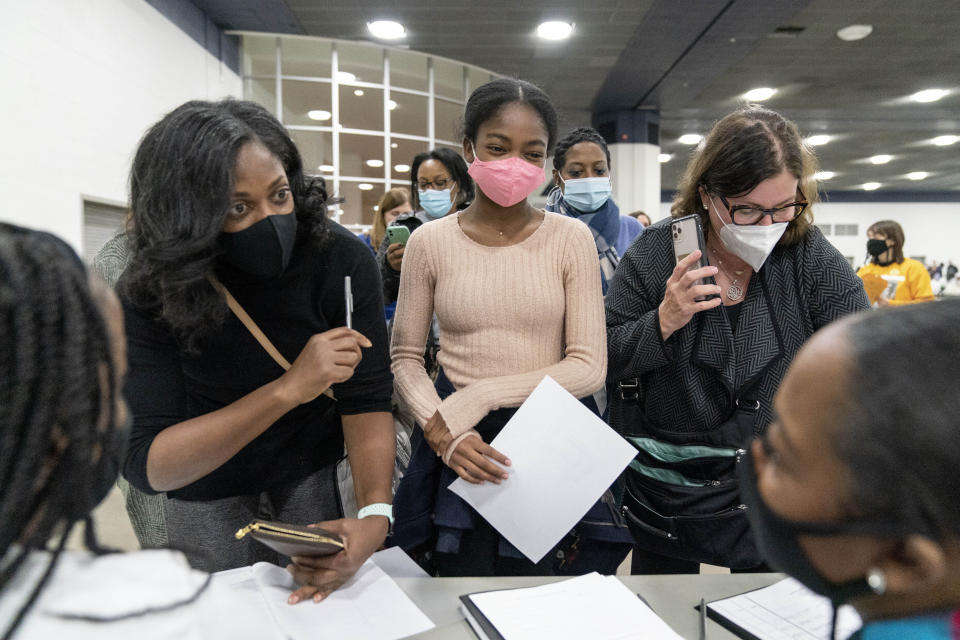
[[56, 405]]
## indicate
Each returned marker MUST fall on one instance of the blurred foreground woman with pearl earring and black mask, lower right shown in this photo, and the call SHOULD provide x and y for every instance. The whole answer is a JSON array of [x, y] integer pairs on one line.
[[853, 488]]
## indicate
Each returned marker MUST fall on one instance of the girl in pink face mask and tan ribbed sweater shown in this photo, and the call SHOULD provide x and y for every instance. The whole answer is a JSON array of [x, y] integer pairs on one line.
[[517, 295]]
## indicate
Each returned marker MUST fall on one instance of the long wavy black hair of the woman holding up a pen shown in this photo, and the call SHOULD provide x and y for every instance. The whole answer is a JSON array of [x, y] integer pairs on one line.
[[180, 187]]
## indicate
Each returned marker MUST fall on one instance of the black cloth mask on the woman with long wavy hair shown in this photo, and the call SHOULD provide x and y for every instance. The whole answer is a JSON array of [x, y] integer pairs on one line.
[[264, 248]]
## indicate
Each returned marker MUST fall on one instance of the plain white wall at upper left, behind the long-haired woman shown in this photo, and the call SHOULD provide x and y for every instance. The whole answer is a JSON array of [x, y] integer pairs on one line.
[[81, 83]]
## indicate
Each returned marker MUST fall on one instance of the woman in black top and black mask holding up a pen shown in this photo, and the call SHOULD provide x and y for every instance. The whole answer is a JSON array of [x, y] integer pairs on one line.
[[221, 205]]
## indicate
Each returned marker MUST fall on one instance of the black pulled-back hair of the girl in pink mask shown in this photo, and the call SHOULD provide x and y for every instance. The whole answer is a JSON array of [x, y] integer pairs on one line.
[[487, 99]]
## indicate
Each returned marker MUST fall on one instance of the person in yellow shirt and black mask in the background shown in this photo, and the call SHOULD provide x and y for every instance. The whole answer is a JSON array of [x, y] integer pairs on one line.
[[885, 246]]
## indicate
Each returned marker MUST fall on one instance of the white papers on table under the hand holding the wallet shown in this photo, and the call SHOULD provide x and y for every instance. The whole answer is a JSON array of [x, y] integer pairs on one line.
[[370, 606]]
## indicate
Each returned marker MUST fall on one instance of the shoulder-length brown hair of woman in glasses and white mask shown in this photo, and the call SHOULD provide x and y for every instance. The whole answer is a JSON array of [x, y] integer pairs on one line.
[[743, 149]]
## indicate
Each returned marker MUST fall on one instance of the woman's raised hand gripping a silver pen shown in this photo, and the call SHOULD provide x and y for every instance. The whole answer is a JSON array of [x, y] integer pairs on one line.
[[328, 358]]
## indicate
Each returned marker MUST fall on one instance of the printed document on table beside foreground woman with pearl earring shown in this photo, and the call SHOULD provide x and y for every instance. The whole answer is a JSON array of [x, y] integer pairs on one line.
[[785, 610]]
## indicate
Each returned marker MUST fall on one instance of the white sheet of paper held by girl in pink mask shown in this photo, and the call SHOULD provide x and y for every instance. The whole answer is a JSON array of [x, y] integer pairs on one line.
[[563, 458]]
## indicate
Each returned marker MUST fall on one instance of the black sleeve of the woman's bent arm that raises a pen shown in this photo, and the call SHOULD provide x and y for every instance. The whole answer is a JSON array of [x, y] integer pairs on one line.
[[154, 389]]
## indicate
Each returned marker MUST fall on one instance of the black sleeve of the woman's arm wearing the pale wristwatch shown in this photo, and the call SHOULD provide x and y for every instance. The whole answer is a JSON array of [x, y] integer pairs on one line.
[[371, 387]]
